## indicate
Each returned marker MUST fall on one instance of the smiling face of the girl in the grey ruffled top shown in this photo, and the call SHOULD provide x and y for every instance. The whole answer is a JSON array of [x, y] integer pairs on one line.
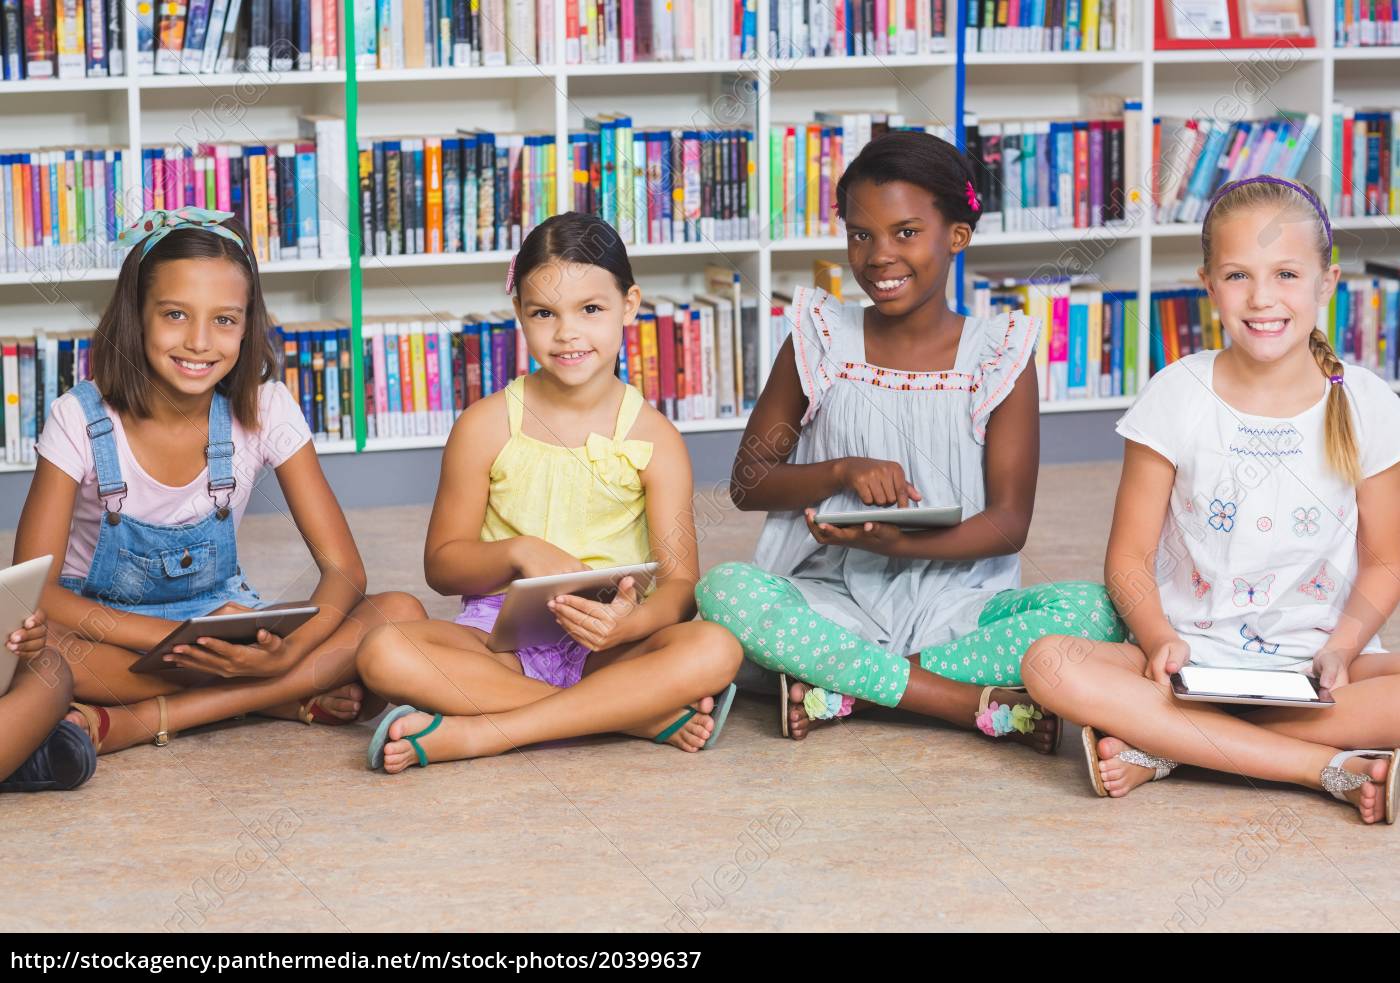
[[899, 246]]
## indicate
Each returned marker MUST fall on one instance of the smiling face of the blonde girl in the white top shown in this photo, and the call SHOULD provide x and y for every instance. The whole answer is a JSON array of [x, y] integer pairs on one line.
[[1268, 279]]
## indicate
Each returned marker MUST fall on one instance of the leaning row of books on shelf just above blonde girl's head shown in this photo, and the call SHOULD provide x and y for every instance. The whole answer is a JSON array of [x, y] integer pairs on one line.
[[1193, 158]]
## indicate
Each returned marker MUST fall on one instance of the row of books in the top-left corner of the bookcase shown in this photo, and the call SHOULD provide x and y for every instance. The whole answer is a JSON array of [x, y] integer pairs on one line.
[[62, 40]]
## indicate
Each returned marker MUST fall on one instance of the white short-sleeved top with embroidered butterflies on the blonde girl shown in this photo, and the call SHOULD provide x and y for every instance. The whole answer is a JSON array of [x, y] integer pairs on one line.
[[1259, 547]]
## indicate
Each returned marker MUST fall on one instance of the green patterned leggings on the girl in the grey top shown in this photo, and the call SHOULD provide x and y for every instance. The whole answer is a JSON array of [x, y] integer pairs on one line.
[[780, 632]]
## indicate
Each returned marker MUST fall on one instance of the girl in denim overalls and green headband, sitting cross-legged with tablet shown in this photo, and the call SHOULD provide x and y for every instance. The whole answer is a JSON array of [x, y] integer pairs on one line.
[[143, 475]]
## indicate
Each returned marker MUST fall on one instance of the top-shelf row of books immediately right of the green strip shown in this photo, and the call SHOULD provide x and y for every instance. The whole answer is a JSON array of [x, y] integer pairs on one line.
[[430, 34]]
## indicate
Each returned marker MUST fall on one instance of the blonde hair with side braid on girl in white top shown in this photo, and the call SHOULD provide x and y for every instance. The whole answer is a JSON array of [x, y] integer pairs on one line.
[[1298, 200]]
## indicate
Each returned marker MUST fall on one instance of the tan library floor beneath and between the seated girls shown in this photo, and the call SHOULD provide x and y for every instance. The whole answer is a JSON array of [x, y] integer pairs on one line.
[[880, 824]]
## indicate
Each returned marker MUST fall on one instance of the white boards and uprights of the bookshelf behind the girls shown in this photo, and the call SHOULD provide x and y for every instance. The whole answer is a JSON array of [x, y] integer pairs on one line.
[[139, 110]]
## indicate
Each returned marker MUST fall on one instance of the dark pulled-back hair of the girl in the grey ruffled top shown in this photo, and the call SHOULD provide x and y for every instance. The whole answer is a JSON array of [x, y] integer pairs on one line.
[[922, 160]]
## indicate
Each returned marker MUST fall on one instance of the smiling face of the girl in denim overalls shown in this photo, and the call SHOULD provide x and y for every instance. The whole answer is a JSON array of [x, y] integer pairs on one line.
[[194, 319]]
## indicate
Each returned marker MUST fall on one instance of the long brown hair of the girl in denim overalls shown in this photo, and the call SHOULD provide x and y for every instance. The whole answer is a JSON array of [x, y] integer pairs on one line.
[[120, 345]]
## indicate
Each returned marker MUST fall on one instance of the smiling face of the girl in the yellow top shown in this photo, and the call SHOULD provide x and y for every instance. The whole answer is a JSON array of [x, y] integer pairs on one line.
[[573, 317]]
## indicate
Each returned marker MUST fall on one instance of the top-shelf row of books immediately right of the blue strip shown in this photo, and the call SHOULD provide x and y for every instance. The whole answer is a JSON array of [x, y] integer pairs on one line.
[[1051, 26]]
